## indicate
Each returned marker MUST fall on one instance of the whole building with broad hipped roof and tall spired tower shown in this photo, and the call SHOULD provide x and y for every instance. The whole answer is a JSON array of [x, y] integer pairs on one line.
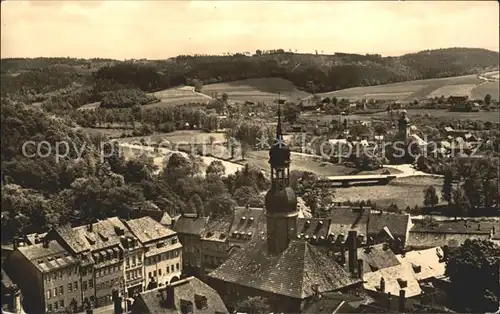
[[288, 271]]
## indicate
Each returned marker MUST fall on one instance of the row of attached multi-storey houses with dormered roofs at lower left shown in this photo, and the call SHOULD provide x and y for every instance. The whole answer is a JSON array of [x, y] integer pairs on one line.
[[78, 268]]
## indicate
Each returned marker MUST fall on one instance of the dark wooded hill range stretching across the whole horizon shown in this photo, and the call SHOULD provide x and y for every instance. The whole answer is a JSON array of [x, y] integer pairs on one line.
[[312, 73]]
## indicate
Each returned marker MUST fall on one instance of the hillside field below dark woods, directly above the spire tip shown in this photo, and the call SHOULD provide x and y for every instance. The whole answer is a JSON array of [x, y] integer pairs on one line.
[[263, 89]]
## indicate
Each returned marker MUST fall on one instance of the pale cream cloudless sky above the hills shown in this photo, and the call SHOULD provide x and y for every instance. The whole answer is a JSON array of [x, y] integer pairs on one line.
[[162, 29]]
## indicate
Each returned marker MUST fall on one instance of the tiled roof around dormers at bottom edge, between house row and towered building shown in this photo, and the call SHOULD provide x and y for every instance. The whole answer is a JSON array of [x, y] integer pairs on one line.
[[184, 290]]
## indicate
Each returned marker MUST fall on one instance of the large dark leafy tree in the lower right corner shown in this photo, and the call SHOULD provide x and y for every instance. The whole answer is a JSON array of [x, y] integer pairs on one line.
[[473, 287]]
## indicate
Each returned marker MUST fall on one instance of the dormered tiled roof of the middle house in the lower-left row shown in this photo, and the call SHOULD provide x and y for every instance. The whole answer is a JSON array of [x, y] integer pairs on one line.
[[104, 234]]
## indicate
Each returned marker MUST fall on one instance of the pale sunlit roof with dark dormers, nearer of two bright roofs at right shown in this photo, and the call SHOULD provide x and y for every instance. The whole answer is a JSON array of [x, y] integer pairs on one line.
[[392, 276]]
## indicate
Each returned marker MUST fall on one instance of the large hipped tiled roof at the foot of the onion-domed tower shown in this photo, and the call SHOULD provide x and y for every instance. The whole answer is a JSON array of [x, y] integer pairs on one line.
[[292, 273]]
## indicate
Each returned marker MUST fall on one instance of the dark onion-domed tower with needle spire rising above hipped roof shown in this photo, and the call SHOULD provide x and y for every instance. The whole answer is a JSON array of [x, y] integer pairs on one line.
[[281, 202]]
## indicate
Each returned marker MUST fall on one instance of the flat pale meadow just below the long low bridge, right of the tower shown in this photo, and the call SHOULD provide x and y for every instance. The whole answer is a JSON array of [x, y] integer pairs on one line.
[[401, 191]]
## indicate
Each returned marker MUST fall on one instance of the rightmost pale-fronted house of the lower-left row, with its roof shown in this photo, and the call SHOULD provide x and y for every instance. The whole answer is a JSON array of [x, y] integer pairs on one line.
[[162, 254]]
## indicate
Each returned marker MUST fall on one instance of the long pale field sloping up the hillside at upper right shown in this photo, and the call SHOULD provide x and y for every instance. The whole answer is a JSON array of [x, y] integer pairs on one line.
[[410, 90]]
